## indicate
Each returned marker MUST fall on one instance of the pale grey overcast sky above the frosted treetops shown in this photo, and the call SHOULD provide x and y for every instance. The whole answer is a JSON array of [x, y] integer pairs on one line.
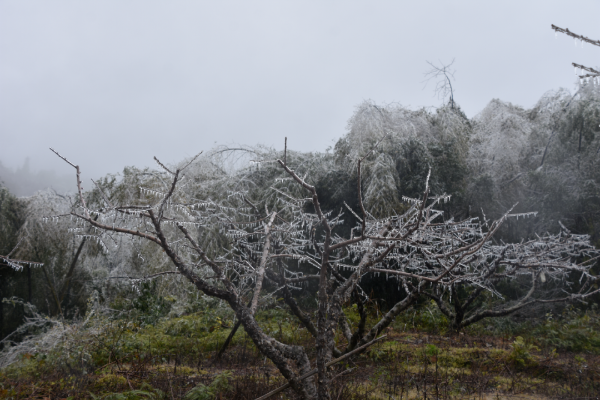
[[114, 83]]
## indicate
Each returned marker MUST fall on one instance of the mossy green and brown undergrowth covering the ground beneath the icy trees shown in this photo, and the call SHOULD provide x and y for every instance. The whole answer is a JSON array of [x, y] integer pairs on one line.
[[131, 358]]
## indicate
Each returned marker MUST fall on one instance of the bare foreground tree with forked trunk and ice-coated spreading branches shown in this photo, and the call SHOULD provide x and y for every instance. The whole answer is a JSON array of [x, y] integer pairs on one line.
[[280, 240]]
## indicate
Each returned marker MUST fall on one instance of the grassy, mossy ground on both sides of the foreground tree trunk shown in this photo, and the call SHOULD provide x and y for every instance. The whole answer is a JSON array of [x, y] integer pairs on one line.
[[175, 358]]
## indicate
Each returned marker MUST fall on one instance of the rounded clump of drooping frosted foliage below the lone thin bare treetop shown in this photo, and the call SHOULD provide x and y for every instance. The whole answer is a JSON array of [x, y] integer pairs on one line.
[[407, 143]]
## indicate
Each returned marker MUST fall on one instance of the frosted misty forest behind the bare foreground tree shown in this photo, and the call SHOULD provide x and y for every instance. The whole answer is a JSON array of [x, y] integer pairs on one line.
[[544, 159]]
